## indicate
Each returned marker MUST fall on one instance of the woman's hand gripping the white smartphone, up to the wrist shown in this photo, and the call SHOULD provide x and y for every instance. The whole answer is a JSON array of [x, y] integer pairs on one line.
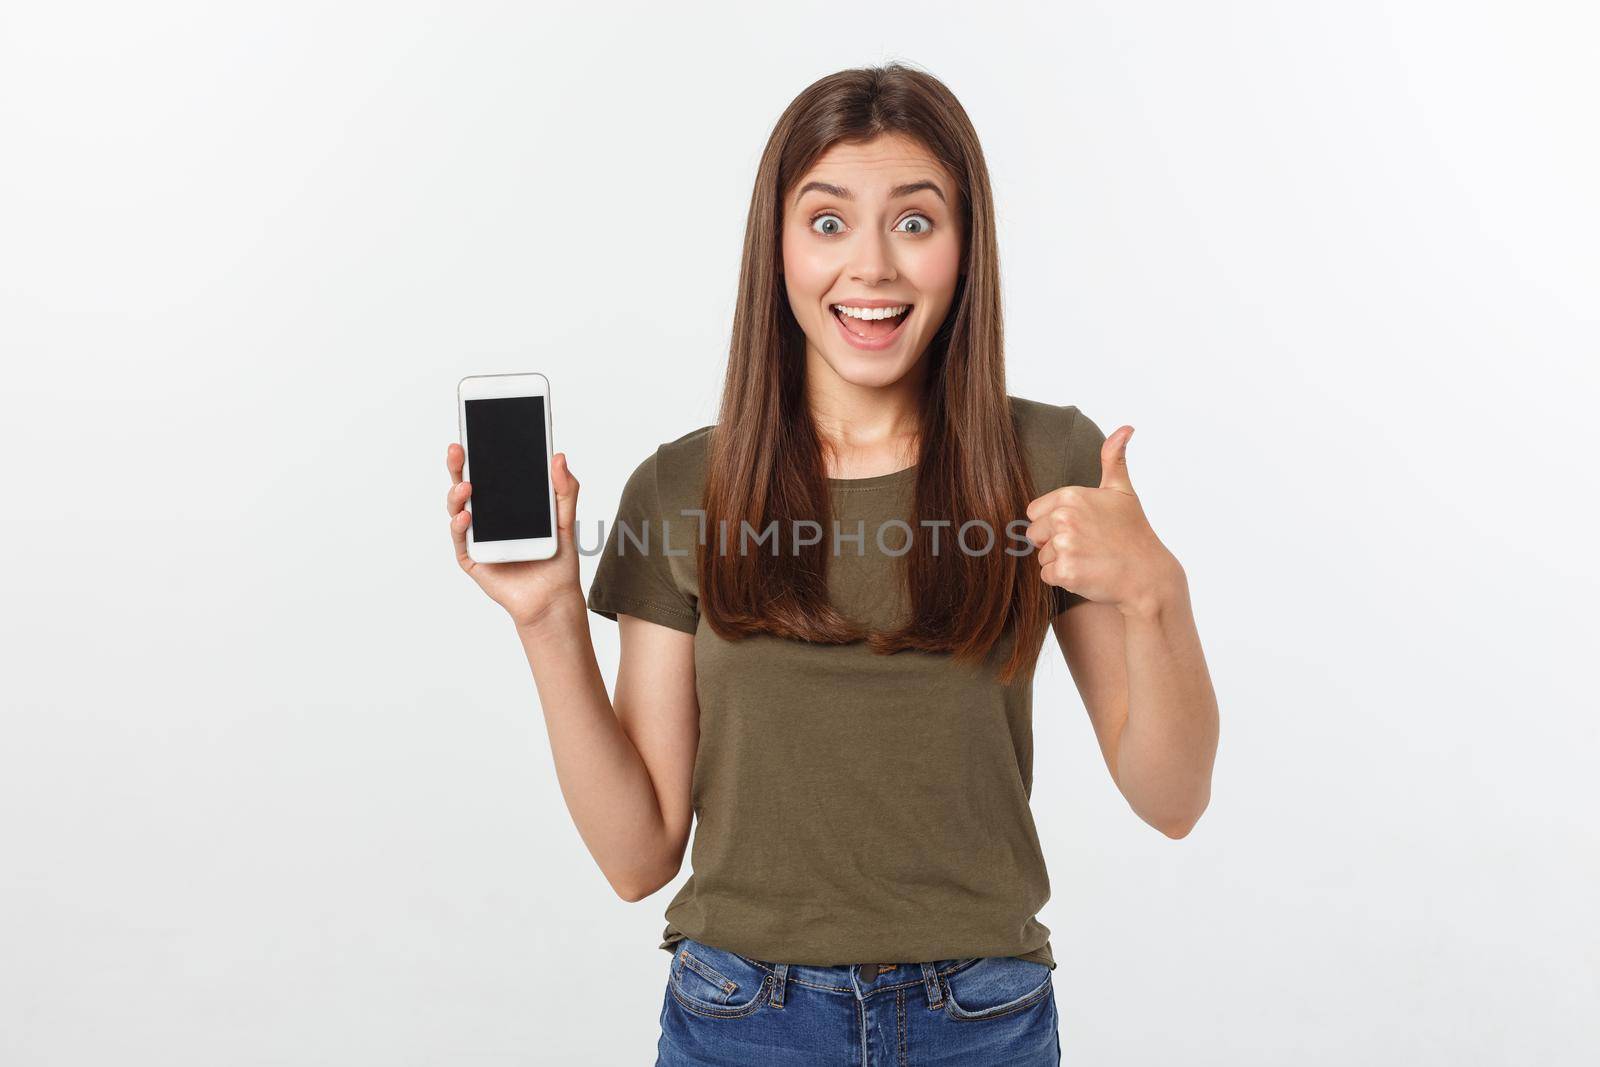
[[529, 589]]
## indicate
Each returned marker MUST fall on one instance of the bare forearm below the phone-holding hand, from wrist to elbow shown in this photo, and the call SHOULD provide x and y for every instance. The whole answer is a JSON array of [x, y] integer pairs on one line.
[[604, 780]]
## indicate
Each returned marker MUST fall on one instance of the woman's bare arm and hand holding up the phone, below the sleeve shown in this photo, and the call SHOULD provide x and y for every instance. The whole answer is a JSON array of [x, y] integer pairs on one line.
[[626, 767]]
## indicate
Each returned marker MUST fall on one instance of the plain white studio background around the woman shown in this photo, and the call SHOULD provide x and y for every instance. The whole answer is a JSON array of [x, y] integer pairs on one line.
[[274, 785]]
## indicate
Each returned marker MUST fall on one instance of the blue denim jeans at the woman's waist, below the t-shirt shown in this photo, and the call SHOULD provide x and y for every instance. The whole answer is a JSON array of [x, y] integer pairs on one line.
[[727, 1010]]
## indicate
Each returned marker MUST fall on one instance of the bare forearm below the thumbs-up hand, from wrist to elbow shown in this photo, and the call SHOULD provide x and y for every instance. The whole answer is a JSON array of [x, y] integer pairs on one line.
[[1169, 743]]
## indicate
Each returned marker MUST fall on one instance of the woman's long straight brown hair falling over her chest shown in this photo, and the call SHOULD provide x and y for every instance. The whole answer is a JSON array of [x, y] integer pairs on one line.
[[766, 458]]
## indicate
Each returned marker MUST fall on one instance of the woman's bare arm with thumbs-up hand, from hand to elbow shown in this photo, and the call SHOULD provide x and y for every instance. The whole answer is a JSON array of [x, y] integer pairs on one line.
[[1134, 650]]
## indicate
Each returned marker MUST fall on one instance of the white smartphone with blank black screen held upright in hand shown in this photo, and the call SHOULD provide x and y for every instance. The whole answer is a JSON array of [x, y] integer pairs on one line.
[[506, 434]]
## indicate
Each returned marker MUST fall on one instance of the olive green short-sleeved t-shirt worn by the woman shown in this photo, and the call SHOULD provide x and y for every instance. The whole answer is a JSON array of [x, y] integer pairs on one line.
[[850, 807]]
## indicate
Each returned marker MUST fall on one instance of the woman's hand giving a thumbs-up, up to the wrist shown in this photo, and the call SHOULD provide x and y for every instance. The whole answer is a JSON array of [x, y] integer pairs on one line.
[[1097, 540]]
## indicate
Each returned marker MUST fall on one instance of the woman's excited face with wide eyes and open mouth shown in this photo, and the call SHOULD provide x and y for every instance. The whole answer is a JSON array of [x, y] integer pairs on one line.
[[871, 226]]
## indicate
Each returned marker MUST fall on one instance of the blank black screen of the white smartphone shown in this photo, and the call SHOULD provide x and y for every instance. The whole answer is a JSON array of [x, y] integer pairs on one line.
[[510, 468]]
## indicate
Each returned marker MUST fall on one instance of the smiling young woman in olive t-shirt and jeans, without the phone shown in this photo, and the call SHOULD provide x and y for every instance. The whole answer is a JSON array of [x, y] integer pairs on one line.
[[831, 605]]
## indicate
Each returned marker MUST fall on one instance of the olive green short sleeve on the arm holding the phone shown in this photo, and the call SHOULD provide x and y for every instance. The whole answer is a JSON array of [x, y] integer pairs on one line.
[[636, 573]]
